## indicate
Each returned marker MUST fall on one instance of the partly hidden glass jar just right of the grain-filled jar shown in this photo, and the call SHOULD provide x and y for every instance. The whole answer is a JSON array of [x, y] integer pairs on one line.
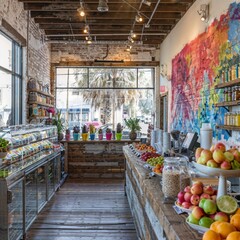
[[185, 176]]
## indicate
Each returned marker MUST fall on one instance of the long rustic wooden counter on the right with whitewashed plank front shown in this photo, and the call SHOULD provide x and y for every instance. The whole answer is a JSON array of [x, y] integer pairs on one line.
[[153, 219]]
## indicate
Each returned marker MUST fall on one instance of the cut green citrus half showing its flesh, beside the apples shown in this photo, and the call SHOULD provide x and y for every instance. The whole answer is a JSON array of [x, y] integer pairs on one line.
[[227, 204]]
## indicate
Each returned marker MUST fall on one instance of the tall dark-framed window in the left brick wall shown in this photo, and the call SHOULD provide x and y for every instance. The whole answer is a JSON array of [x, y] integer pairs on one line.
[[10, 81]]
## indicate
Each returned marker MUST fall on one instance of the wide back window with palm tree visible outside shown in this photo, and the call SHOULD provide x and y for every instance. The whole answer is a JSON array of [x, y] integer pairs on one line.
[[104, 95]]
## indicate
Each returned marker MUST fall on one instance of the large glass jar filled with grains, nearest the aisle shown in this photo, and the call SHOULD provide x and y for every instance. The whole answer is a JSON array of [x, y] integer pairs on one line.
[[171, 179]]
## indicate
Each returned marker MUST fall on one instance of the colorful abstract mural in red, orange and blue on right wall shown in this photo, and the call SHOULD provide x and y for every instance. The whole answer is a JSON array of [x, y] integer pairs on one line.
[[196, 69]]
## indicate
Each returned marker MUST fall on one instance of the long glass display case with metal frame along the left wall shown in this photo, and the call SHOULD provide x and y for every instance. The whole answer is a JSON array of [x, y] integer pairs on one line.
[[28, 176]]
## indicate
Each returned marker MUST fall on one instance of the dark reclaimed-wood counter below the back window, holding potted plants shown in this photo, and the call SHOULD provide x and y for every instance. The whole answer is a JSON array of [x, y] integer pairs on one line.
[[95, 159]]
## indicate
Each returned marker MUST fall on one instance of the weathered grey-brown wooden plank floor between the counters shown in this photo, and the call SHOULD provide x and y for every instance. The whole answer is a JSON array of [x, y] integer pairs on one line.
[[86, 210]]
